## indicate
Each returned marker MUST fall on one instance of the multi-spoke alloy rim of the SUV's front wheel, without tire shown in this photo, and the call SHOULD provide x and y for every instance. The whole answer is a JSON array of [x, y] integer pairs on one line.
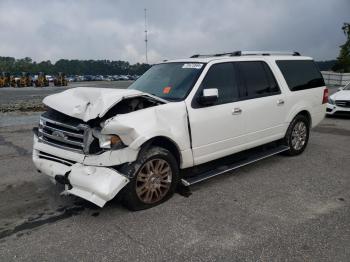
[[153, 181]]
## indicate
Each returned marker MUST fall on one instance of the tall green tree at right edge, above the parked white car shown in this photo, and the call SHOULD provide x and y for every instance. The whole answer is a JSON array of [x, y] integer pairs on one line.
[[343, 60]]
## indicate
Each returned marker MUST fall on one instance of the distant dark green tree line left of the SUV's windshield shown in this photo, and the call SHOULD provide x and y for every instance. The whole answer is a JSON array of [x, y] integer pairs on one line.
[[71, 67]]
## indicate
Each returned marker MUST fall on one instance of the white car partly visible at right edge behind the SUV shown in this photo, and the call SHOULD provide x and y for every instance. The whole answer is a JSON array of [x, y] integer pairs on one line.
[[339, 102]]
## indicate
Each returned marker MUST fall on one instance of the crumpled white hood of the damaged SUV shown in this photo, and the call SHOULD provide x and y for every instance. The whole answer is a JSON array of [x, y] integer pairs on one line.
[[87, 103]]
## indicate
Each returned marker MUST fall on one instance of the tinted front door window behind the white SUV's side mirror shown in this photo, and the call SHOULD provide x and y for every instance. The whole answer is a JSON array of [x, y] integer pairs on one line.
[[222, 77]]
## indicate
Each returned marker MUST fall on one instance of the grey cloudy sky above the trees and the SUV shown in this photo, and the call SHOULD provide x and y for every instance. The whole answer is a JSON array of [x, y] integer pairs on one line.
[[50, 30]]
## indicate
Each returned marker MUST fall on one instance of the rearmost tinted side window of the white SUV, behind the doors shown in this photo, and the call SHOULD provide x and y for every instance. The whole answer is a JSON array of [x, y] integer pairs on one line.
[[300, 74]]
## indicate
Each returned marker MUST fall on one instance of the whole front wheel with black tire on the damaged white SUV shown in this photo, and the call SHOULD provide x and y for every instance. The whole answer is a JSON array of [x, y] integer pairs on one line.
[[153, 179]]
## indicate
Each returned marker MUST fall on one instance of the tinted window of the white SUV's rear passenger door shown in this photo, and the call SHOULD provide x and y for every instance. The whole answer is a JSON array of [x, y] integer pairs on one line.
[[257, 79]]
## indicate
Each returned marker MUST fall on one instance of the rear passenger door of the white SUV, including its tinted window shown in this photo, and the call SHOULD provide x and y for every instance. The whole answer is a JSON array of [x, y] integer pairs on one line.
[[261, 103]]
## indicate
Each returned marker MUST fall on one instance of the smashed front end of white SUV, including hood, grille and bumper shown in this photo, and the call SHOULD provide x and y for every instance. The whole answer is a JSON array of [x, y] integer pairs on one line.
[[72, 147]]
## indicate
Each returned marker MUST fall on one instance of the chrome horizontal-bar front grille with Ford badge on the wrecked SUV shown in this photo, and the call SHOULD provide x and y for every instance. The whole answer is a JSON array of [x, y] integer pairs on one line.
[[70, 135]]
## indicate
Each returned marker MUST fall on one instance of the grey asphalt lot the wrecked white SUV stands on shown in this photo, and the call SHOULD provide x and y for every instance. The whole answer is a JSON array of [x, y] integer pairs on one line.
[[279, 209]]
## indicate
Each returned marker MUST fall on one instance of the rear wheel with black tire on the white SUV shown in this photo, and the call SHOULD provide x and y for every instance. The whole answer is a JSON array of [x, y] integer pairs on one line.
[[297, 135]]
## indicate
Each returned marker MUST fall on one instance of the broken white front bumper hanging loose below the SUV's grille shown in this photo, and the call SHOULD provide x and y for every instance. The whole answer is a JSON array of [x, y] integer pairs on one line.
[[94, 183]]
